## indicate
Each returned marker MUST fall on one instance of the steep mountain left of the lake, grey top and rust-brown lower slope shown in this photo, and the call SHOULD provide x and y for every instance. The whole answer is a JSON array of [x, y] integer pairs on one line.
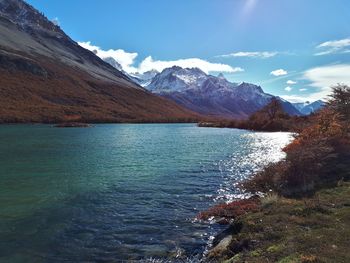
[[48, 77]]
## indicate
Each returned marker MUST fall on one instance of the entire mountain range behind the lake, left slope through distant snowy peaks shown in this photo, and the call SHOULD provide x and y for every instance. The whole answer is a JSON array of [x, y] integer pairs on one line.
[[48, 77]]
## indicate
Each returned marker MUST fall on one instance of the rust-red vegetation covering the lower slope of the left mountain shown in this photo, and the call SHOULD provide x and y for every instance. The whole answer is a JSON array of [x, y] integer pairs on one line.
[[40, 89]]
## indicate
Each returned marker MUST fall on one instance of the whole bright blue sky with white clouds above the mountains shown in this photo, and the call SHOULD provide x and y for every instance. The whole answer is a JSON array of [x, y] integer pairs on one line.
[[266, 42]]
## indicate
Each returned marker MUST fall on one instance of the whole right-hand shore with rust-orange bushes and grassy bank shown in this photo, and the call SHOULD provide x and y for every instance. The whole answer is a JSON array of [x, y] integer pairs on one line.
[[303, 212]]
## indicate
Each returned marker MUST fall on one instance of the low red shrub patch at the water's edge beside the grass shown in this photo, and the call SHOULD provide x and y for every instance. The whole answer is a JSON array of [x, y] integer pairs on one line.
[[231, 210]]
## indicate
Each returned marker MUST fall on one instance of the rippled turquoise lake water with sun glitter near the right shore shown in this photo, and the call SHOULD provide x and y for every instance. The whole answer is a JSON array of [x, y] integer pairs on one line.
[[119, 191]]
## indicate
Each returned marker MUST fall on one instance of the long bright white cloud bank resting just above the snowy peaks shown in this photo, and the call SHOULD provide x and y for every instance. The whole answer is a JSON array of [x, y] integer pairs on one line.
[[127, 61]]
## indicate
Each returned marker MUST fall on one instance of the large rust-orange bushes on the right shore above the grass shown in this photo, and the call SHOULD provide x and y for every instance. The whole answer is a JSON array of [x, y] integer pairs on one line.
[[319, 156]]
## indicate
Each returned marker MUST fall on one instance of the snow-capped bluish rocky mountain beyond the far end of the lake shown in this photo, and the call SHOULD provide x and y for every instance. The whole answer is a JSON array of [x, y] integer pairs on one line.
[[210, 95]]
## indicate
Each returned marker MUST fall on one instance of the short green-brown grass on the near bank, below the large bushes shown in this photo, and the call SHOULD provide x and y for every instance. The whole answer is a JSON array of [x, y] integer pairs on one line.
[[297, 230]]
